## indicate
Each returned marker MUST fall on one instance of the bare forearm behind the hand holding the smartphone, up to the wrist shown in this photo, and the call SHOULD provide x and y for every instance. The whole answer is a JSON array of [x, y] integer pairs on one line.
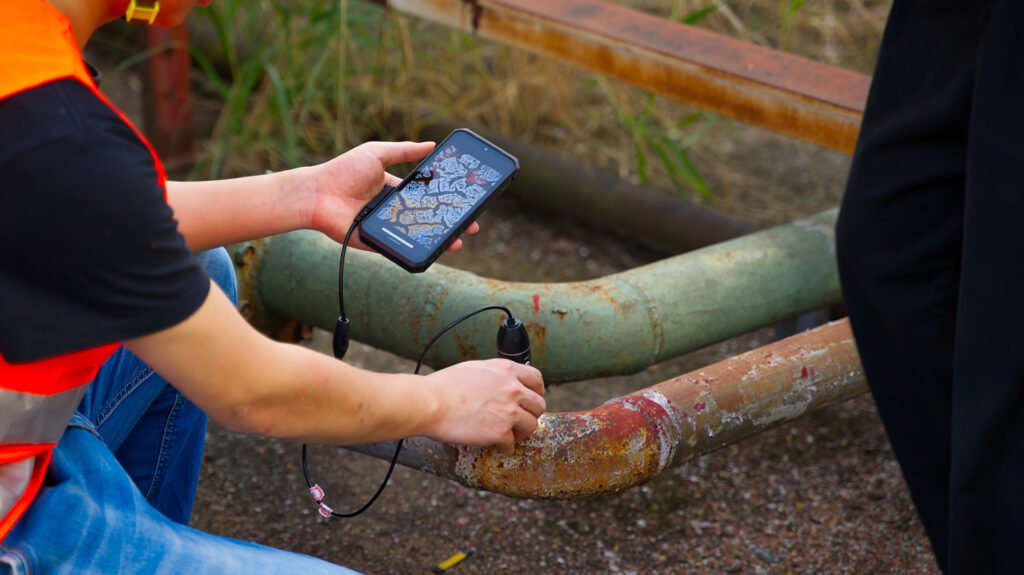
[[222, 212]]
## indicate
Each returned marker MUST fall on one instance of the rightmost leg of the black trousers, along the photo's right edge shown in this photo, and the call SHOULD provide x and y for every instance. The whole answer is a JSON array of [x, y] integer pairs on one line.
[[987, 512]]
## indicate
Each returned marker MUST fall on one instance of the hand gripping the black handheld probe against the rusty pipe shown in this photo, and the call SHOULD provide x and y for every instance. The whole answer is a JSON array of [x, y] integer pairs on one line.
[[490, 403]]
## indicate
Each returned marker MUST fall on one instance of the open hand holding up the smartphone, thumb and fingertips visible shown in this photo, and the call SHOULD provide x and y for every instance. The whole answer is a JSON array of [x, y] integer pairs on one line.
[[344, 186]]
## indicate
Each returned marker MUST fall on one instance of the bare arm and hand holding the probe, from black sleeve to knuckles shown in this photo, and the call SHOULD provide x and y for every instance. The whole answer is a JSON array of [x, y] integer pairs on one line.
[[251, 384]]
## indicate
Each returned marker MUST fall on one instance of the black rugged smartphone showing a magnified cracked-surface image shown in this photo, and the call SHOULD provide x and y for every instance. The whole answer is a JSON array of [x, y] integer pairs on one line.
[[423, 215]]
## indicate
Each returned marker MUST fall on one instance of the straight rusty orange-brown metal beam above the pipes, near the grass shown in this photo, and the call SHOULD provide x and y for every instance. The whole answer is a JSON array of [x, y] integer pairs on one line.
[[783, 93]]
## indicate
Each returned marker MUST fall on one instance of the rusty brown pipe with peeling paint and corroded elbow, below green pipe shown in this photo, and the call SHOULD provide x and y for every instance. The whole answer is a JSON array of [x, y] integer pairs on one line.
[[631, 439]]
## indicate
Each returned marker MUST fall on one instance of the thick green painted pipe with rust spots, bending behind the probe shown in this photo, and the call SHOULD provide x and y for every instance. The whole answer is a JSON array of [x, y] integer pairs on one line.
[[616, 325]]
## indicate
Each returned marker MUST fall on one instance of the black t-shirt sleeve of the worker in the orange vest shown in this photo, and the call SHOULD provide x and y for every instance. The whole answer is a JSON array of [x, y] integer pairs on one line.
[[90, 250]]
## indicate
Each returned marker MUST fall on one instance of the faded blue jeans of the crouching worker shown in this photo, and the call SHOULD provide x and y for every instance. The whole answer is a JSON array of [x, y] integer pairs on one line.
[[120, 489]]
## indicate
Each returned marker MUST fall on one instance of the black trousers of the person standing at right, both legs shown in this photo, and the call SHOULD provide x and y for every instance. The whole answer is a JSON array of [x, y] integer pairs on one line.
[[931, 253]]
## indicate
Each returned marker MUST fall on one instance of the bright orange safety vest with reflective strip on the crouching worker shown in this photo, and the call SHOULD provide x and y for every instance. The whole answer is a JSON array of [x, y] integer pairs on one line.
[[37, 400]]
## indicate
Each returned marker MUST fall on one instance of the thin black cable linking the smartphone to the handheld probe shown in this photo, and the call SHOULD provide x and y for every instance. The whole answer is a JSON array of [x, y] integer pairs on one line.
[[315, 490]]
